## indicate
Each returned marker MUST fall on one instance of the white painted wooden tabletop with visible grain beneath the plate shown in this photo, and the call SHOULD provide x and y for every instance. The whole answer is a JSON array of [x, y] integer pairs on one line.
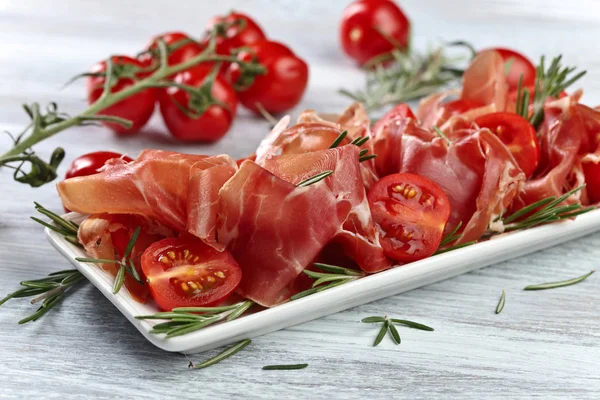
[[544, 344]]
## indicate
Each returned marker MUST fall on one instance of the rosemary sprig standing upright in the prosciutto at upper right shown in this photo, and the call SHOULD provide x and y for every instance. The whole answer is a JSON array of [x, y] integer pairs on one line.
[[549, 83]]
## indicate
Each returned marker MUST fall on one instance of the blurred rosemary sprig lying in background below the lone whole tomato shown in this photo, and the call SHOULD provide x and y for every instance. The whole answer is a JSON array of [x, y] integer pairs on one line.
[[412, 76]]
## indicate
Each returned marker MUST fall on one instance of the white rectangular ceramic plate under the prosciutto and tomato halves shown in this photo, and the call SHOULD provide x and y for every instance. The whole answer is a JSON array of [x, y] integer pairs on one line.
[[365, 290]]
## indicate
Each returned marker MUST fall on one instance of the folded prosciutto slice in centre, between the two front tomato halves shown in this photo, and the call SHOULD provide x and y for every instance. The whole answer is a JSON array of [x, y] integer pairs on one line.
[[274, 229]]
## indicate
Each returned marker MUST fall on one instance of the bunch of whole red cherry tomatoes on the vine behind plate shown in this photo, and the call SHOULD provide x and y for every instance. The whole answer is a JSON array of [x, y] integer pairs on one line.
[[202, 102]]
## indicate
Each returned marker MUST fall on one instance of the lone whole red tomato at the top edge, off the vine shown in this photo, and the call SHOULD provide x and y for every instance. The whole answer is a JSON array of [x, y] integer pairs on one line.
[[367, 27]]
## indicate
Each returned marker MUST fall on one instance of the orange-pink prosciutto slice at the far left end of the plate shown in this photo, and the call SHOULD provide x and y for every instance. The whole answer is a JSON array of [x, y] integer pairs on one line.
[[179, 190]]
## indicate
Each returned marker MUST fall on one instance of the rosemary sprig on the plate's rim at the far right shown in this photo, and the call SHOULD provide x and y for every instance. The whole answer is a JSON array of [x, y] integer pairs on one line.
[[544, 211]]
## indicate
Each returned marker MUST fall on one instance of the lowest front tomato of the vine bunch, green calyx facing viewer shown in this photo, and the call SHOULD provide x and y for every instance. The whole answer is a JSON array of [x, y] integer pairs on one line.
[[211, 123]]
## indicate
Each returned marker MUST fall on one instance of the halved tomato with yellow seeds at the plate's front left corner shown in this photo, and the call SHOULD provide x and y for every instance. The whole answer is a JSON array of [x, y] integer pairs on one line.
[[188, 273]]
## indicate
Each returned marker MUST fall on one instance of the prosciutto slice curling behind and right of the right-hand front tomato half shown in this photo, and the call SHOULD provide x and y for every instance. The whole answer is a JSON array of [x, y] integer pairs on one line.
[[475, 169]]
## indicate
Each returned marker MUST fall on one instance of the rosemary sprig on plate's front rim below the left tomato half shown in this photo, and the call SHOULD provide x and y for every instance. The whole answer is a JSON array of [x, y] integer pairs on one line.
[[190, 319]]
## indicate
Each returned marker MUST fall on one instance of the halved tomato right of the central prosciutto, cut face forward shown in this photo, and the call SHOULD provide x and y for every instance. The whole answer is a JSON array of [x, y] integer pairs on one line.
[[411, 213]]
